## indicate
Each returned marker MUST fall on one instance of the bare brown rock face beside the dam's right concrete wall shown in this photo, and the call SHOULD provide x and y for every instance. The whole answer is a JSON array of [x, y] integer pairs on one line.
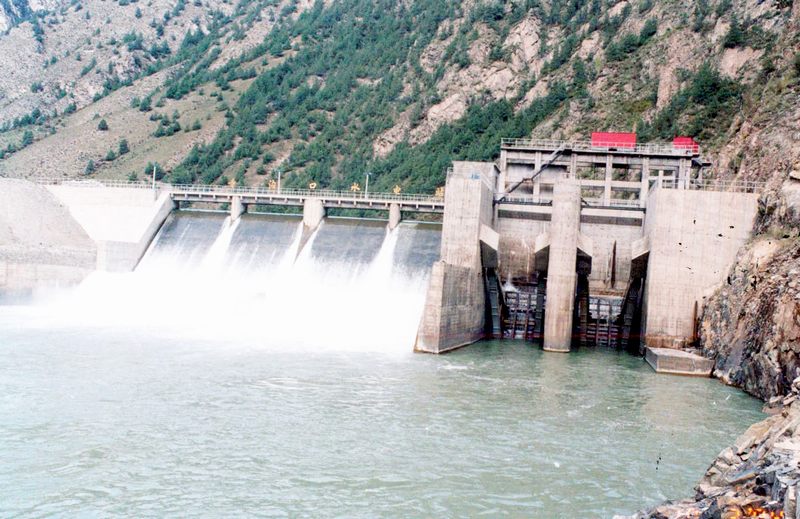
[[752, 325]]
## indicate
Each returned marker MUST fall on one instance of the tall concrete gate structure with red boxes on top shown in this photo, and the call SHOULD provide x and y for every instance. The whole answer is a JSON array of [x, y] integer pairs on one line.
[[572, 243]]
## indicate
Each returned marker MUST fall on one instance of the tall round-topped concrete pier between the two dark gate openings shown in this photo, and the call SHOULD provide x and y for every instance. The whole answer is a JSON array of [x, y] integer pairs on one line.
[[561, 274]]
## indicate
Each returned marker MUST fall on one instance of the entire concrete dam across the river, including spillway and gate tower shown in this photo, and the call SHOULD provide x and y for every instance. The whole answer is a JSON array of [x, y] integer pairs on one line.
[[558, 243]]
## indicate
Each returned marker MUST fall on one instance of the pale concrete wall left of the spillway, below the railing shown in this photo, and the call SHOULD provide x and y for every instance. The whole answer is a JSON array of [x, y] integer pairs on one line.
[[57, 235]]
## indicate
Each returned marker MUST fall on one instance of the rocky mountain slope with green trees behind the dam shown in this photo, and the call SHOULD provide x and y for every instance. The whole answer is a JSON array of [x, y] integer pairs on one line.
[[325, 92]]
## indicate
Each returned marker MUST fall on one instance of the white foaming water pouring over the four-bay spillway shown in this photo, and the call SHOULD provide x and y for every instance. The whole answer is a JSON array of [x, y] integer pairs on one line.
[[260, 278]]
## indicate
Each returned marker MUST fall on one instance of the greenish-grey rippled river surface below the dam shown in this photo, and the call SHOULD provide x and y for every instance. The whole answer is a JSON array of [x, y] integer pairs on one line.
[[122, 420]]
